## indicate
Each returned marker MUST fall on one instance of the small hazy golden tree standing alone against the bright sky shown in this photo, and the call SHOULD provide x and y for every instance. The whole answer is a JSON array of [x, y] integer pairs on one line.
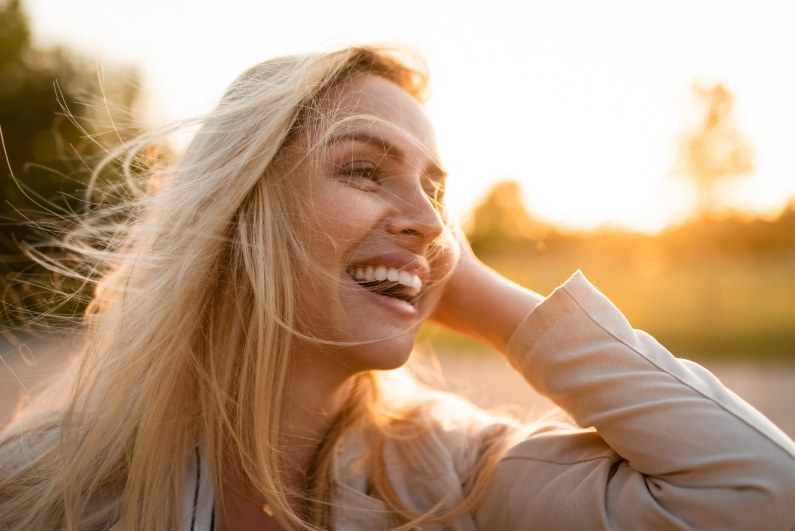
[[715, 151]]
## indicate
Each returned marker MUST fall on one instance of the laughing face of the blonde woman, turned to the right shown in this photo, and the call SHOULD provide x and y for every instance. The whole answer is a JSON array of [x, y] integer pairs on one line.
[[369, 187]]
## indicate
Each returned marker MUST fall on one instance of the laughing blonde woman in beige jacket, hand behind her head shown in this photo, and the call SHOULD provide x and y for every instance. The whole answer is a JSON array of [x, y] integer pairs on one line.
[[228, 381]]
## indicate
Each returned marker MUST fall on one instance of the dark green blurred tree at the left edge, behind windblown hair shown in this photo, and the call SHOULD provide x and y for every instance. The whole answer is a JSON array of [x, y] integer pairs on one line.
[[49, 127]]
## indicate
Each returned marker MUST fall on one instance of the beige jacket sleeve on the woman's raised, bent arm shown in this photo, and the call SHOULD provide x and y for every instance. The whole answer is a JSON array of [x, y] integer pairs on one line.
[[662, 444]]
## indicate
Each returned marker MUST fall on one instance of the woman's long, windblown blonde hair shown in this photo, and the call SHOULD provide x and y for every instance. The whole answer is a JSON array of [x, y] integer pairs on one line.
[[191, 328]]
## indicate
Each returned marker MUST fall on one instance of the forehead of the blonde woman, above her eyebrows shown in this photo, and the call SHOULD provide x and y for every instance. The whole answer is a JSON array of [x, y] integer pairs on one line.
[[375, 106]]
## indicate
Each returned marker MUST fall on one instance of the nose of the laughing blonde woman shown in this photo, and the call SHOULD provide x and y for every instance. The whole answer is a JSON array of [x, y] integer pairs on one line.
[[415, 218]]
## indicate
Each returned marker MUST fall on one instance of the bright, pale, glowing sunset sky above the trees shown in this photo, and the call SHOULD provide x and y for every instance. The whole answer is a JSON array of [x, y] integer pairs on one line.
[[582, 102]]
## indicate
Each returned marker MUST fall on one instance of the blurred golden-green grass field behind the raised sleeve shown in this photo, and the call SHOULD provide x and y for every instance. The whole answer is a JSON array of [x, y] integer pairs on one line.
[[737, 305]]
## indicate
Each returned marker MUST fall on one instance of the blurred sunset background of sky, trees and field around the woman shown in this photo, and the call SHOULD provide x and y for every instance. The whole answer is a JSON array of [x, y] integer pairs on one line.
[[649, 145]]
